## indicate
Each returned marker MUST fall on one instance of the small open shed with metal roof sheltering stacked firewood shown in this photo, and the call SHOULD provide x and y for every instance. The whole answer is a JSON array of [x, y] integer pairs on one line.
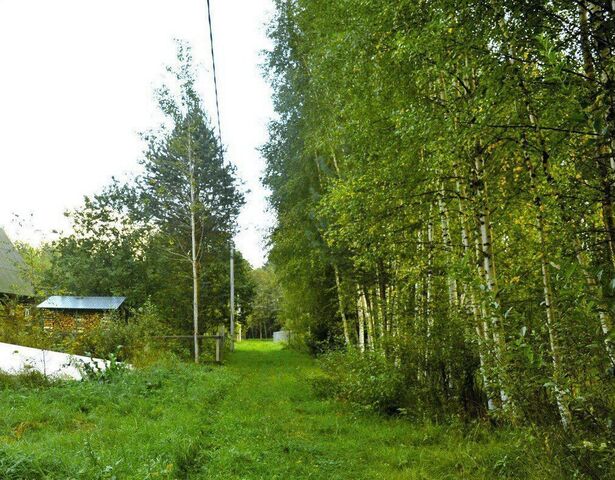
[[69, 314]]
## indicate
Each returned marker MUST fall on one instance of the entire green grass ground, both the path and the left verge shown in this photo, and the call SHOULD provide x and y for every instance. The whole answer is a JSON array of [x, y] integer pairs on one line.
[[255, 418]]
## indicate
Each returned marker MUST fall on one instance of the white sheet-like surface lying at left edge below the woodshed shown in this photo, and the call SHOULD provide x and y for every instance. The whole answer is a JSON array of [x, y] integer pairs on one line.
[[17, 359]]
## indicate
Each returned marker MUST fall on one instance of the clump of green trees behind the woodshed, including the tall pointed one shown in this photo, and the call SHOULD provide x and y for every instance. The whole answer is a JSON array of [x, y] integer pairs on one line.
[[134, 239]]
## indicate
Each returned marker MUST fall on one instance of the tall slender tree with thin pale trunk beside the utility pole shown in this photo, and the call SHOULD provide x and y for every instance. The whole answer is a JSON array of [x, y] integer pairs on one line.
[[186, 189]]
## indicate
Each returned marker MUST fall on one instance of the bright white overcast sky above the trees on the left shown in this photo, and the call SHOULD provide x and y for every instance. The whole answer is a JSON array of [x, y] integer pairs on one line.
[[76, 86]]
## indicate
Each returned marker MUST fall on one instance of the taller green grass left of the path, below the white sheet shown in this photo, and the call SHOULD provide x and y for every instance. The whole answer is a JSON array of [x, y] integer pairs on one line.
[[146, 424]]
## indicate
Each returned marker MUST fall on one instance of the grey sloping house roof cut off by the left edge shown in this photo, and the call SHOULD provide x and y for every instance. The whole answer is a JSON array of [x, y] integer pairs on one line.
[[13, 281]]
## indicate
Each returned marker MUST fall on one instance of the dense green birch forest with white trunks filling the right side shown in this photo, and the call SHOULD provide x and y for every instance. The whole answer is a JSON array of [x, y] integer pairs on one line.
[[443, 176]]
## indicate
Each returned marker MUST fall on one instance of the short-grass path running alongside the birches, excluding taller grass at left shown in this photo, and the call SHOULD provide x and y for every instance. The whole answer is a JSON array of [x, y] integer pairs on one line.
[[270, 426]]
